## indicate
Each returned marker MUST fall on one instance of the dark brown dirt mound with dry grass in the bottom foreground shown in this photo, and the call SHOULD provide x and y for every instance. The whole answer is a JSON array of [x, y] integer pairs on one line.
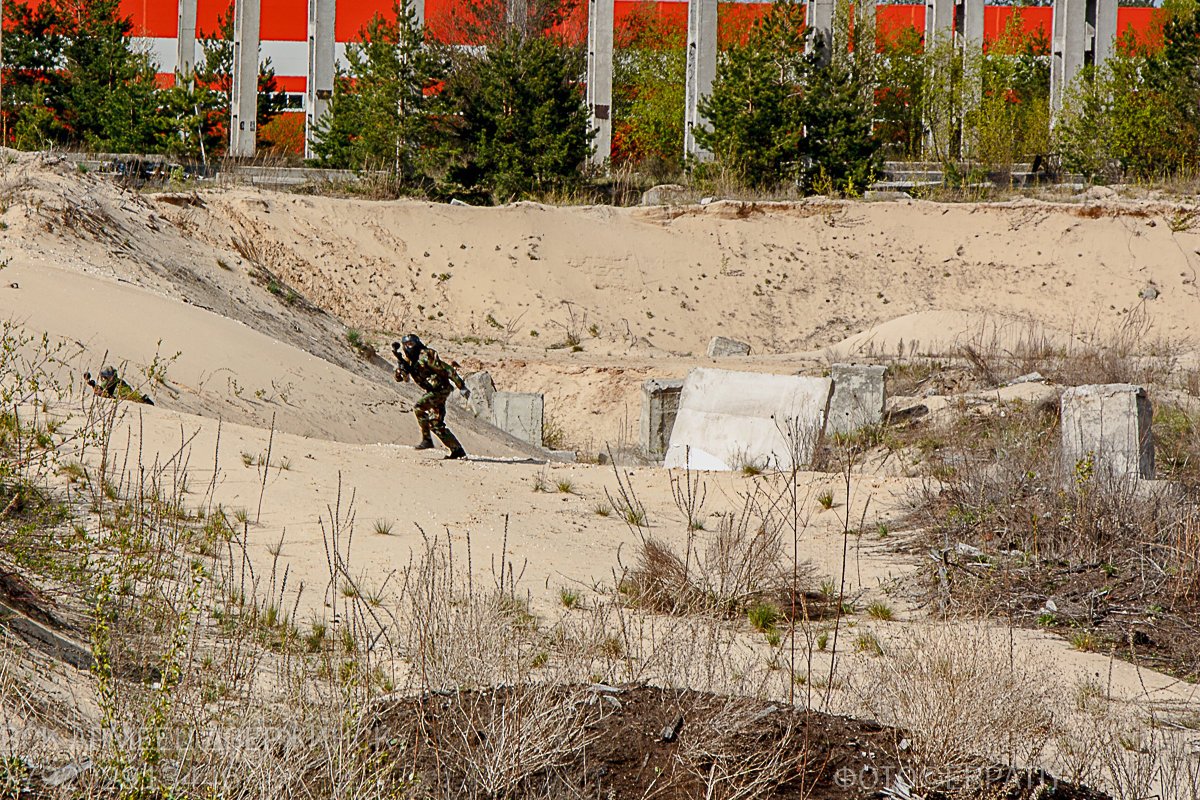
[[643, 742]]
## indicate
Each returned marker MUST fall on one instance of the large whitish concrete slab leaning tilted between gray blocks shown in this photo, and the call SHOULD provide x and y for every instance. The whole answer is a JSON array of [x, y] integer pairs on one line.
[[730, 419]]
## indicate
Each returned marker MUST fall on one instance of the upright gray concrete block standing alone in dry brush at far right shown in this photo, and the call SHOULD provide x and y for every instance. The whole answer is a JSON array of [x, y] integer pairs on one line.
[[1108, 426]]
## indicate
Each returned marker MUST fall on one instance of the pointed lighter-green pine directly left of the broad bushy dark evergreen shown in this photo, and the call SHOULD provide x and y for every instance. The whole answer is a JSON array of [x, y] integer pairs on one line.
[[385, 107]]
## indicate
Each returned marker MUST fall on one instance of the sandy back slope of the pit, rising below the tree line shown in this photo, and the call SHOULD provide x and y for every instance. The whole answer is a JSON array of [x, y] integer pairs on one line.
[[641, 290]]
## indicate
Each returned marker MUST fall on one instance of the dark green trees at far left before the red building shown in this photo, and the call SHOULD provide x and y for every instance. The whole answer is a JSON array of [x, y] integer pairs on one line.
[[75, 79]]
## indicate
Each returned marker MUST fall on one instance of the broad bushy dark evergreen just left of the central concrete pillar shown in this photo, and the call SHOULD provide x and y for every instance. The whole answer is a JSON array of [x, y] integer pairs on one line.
[[517, 123]]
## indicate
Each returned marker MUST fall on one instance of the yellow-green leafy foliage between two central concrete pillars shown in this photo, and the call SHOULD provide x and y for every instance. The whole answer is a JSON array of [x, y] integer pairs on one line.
[[649, 94]]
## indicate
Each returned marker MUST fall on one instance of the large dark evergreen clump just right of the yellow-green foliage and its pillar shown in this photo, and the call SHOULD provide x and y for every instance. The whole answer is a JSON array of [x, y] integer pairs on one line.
[[778, 115]]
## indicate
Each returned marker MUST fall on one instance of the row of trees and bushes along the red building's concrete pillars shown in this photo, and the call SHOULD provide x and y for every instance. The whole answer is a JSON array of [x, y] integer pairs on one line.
[[503, 116]]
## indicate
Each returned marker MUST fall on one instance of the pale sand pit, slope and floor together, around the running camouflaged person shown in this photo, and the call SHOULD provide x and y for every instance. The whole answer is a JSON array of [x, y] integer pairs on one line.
[[256, 293]]
